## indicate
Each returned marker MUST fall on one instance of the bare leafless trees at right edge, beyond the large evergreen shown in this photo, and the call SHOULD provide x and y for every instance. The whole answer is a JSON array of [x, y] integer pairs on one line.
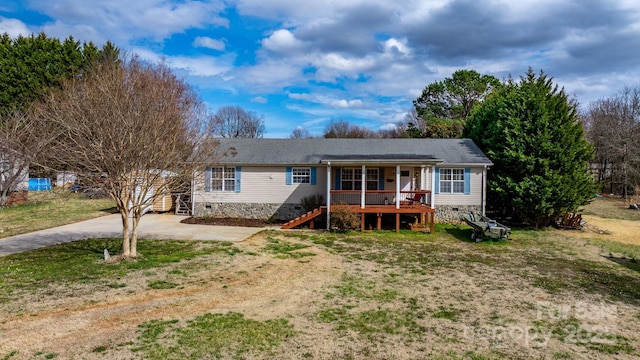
[[613, 127]]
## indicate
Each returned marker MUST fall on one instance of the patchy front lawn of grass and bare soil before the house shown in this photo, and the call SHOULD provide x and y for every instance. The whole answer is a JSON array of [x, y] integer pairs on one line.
[[316, 295]]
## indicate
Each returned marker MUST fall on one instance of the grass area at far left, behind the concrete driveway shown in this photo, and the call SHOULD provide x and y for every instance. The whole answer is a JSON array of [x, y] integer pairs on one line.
[[47, 209]]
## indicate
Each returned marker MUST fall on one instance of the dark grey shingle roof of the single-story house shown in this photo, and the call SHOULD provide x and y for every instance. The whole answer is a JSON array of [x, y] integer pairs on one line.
[[316, 151]]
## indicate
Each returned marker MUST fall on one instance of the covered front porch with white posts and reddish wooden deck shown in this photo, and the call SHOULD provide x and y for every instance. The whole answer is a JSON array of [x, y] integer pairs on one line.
[[377, 188]]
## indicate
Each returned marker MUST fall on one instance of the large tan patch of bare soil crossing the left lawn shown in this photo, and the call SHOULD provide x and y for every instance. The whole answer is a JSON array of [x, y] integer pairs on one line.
[[258, 285]]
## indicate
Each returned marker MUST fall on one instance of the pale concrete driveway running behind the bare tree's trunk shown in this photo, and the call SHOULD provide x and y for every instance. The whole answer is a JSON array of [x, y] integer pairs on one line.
[[152, 226]]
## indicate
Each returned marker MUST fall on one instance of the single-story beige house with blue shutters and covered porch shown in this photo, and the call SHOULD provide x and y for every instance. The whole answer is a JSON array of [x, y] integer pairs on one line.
[[268, 178]]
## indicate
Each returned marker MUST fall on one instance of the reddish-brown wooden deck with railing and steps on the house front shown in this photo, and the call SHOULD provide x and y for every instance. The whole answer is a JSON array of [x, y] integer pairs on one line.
[[425, 215]]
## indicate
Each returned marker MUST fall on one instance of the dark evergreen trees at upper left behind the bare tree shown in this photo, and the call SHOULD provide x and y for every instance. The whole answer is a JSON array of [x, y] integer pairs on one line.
[[31, 65]]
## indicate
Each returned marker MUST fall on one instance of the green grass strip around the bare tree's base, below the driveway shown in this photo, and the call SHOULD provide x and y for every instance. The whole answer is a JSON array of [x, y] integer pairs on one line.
[[80, 262]]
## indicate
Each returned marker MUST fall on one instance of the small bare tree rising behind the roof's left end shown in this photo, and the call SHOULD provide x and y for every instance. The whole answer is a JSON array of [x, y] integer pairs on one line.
[[235, 122]]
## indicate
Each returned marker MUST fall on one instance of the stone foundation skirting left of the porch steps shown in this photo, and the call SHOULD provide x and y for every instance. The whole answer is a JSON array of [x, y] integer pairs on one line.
[[280, 212]]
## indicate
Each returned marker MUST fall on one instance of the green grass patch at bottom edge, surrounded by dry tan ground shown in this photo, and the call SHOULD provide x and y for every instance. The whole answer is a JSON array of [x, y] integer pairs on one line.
[[209, 336]]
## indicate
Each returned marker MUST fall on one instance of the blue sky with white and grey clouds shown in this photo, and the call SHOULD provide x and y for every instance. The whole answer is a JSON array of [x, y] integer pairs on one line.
[[306, 63]]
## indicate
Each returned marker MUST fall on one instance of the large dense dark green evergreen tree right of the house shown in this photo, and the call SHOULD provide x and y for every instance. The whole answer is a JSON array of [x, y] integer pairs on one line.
[[531, 132]]
